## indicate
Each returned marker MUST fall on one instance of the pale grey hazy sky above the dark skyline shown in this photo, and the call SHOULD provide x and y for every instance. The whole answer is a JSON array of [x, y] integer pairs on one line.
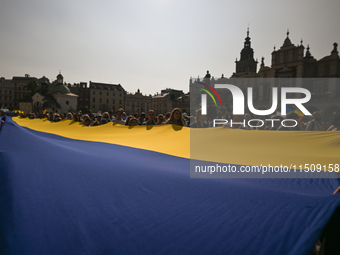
[[154, 44]]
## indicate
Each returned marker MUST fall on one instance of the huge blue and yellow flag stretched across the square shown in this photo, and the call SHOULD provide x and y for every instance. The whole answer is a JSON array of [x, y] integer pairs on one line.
[[70, 189]]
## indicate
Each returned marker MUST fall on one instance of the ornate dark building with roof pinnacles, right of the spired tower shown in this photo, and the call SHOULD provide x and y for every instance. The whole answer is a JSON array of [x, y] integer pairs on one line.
[[292, 61]]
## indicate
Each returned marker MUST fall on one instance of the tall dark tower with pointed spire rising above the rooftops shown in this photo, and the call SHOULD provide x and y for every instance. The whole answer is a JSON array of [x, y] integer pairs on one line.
[[247, 63]]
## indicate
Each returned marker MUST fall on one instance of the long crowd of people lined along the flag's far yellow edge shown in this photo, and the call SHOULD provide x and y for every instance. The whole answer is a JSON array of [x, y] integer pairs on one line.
[[292, 120]]
